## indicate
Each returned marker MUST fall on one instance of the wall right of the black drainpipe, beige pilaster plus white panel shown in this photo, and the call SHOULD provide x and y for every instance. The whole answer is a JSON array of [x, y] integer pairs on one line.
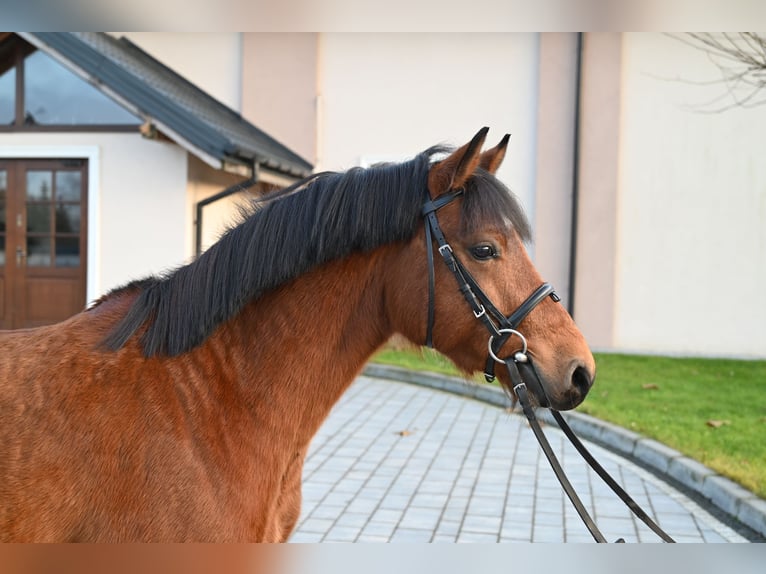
[[672, 217]]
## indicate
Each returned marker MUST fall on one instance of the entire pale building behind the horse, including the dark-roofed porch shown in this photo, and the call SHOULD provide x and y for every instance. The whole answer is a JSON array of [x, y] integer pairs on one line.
[[648, 210]]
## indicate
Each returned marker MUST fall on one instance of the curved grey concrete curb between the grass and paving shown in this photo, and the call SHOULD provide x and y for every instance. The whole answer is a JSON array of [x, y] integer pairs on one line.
[[730, 498]]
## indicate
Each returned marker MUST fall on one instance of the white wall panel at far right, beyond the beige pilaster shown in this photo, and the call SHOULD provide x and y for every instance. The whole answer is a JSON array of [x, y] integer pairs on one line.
[[691, 223]]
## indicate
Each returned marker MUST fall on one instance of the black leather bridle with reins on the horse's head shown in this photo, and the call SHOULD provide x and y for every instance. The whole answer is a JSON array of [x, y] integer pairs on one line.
[[501, 328]]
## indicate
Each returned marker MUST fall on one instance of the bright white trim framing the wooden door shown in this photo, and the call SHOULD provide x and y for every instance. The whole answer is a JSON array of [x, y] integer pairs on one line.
[[92, 154]]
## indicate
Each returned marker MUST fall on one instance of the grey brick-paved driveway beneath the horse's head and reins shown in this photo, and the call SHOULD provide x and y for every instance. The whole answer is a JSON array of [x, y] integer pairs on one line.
[[396, 462]]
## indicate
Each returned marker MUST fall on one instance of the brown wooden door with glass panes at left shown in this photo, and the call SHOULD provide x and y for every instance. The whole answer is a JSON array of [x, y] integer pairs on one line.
[[43, 237]]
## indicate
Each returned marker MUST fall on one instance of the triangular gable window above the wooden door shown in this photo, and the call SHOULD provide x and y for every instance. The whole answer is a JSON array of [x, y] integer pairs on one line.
[[50, 95]]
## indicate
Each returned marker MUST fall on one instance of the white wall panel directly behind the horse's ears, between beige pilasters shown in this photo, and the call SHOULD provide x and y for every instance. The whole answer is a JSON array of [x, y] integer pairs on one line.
[[390, 96]]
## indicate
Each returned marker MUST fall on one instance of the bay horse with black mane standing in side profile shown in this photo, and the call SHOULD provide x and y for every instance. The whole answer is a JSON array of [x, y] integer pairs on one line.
[[181, 407]]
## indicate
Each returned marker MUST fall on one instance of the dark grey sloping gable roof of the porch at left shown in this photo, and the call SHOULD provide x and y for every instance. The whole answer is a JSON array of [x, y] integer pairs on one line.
[[184, 112]]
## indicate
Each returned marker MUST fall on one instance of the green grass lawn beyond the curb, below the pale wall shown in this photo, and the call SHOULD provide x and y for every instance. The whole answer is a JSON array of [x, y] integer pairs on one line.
[[713, 410]]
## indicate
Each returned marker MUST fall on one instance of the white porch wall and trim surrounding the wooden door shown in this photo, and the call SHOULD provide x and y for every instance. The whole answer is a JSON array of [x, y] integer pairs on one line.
[[136, 223]]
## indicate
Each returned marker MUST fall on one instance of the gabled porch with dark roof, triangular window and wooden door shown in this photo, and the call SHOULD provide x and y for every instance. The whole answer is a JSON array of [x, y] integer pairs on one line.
[[107, 157]]
